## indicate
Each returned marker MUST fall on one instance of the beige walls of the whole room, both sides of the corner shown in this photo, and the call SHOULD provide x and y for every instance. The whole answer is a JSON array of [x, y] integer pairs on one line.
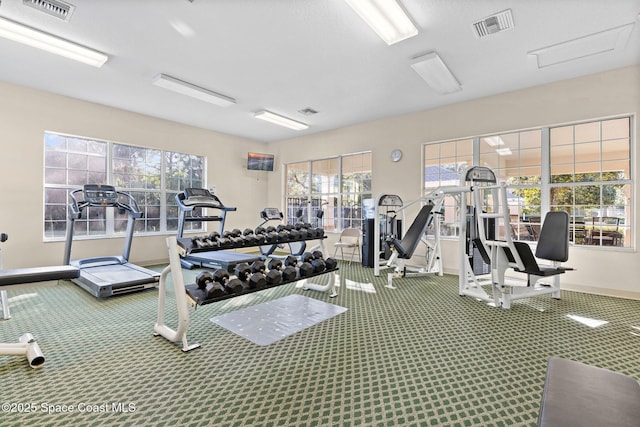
[[27, 113]]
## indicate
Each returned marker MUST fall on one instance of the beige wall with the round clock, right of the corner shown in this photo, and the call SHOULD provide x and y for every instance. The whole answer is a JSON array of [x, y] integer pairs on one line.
[[606, 94]]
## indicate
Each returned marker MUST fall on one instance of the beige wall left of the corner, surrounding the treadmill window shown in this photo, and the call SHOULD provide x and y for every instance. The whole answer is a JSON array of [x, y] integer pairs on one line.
[[26, 114]]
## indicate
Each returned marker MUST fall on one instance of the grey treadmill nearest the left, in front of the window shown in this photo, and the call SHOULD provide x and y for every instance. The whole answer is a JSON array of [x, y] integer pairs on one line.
[[107, 276]]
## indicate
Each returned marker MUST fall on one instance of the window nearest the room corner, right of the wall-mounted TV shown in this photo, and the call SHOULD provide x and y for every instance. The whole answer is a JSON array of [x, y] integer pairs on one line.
[[328, 192]]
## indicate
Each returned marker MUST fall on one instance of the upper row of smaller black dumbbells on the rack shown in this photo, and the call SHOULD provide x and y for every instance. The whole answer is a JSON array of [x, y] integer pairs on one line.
[[260, 236]]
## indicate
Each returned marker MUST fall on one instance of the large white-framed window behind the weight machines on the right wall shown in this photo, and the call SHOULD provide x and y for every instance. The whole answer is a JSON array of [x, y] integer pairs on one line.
[[582, 168]]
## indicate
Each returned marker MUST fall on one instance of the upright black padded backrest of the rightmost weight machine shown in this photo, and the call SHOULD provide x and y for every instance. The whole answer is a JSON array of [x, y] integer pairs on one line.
[[553, 244]]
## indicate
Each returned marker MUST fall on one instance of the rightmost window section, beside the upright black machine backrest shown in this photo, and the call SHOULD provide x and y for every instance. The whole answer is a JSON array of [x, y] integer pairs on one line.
[[591, 179]]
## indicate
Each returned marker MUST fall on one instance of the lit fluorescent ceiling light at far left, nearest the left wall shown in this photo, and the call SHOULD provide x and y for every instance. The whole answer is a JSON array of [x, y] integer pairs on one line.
[[31, 37]]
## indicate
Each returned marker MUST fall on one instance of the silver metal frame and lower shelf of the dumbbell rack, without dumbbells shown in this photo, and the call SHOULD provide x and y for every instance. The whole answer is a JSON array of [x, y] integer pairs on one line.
[[193, 296]]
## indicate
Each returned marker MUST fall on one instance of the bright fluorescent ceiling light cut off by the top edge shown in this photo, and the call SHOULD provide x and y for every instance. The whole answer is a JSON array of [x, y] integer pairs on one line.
[[386, 18]]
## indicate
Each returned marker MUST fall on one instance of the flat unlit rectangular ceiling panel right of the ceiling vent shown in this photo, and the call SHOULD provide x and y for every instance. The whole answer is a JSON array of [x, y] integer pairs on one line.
[[582, 47]]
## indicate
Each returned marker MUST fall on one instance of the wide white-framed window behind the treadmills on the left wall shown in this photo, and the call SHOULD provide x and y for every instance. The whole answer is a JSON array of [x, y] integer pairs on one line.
[[153, 177]]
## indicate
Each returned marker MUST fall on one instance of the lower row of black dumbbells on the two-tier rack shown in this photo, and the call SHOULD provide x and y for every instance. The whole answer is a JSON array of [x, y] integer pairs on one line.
[[248, 278]]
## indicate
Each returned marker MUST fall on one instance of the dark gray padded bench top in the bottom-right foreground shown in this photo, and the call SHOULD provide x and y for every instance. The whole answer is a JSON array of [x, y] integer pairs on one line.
[[580, 395]]
